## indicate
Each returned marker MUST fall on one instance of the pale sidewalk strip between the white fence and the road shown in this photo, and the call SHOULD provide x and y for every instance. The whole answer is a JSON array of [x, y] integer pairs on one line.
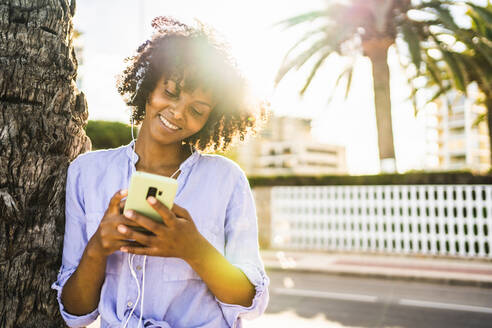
[[451, 271]]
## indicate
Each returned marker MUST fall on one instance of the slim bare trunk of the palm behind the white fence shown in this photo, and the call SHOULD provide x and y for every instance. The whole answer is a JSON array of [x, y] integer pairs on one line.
[[377, 51]]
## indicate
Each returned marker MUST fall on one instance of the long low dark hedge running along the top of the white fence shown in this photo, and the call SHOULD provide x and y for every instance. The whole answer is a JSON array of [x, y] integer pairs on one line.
[[422, 178]]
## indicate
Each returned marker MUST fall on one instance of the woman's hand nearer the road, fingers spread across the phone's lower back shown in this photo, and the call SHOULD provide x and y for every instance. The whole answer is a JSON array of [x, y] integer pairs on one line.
[[178, 237]]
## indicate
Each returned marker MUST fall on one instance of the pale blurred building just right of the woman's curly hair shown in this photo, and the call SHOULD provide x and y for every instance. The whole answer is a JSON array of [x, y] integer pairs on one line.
[[285, 147]]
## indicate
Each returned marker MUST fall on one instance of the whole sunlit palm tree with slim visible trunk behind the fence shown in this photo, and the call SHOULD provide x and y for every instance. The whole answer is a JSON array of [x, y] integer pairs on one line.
[[367, 27]]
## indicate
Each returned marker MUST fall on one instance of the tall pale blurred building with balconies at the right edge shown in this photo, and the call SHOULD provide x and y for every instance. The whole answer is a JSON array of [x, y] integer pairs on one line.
[[454, 141]]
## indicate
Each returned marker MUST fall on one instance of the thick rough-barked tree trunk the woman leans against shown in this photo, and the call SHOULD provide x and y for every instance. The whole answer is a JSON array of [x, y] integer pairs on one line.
[[42, 116]]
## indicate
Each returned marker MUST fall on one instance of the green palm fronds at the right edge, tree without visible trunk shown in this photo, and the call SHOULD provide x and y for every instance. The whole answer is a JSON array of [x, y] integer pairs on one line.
[[455, 56]]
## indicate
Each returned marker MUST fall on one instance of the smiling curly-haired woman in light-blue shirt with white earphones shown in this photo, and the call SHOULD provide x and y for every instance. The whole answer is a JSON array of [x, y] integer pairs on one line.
[[202, 267]]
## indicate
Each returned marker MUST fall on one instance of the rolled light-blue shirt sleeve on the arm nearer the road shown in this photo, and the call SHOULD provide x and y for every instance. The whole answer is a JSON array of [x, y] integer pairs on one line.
[[242, 250]]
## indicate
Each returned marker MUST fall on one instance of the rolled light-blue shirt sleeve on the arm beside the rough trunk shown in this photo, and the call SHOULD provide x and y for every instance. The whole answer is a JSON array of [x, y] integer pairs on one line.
[[74, 244]]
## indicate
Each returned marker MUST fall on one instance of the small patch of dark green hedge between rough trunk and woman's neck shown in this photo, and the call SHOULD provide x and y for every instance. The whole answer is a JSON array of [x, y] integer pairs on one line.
[[107, 134]]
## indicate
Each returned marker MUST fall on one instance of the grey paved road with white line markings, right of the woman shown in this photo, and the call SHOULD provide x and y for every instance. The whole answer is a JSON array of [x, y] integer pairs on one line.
[[361, 302]]
